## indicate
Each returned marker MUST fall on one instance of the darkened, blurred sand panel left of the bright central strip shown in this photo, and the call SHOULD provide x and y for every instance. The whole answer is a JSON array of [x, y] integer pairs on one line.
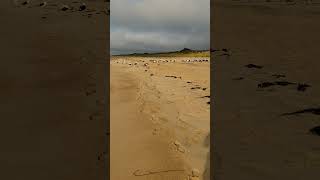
[[52, 78]]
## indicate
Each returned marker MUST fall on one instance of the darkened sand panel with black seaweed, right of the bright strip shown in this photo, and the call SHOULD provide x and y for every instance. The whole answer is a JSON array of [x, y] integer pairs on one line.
[[251, 139]]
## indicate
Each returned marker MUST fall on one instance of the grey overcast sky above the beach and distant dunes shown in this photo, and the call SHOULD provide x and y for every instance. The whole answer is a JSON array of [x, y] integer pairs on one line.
[[159, 25]]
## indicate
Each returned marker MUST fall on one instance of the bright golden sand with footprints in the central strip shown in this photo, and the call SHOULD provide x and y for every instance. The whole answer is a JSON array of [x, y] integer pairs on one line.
[[160, 118]]
